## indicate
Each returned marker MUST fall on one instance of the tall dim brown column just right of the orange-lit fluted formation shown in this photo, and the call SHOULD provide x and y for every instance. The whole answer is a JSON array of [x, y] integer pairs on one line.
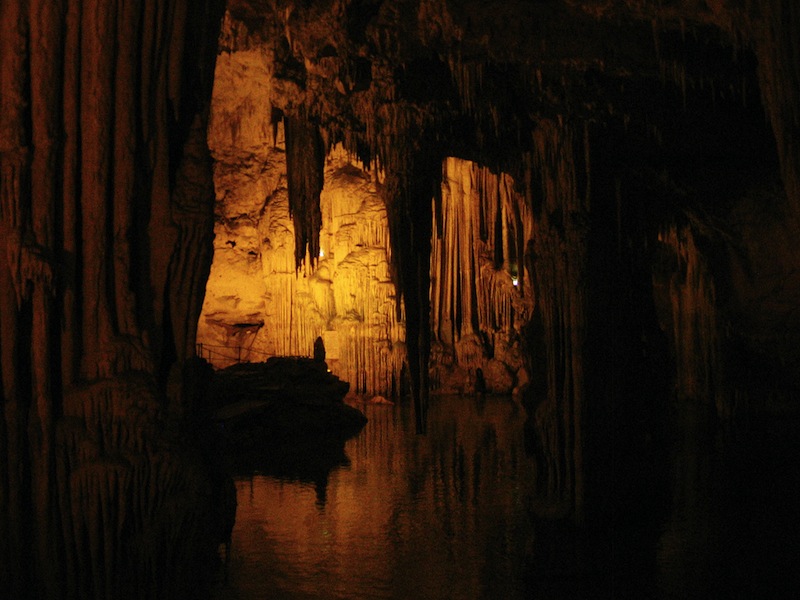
[[557, 261]]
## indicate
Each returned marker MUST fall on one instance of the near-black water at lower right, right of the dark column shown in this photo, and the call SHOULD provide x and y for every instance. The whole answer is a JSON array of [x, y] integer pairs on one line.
[[733, 528]]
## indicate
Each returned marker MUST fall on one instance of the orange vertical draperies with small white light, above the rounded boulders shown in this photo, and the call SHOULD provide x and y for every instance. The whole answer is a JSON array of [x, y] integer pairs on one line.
[[481, 227]]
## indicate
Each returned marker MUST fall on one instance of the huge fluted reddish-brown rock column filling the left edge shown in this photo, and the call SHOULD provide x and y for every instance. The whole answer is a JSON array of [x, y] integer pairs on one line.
[[106, 196]]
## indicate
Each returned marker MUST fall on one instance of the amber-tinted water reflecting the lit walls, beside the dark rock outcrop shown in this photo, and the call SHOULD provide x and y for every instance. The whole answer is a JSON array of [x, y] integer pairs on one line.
[[437, 516]]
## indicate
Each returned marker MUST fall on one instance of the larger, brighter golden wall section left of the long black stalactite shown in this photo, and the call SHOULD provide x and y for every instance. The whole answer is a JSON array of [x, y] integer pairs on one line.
[[260, 301]]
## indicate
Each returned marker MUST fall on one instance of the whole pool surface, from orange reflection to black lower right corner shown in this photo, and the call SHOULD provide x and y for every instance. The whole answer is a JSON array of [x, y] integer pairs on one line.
[[448, 515]]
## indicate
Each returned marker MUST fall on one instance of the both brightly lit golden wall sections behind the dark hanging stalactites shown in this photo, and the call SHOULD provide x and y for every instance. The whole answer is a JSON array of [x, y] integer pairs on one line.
[[259, 304]]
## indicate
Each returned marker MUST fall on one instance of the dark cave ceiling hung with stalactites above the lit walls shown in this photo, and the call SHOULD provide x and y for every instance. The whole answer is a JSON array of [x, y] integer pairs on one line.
[[694, 99]]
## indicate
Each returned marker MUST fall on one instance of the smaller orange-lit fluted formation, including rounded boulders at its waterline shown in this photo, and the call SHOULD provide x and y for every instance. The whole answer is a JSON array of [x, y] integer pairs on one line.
[[480, 295]]
